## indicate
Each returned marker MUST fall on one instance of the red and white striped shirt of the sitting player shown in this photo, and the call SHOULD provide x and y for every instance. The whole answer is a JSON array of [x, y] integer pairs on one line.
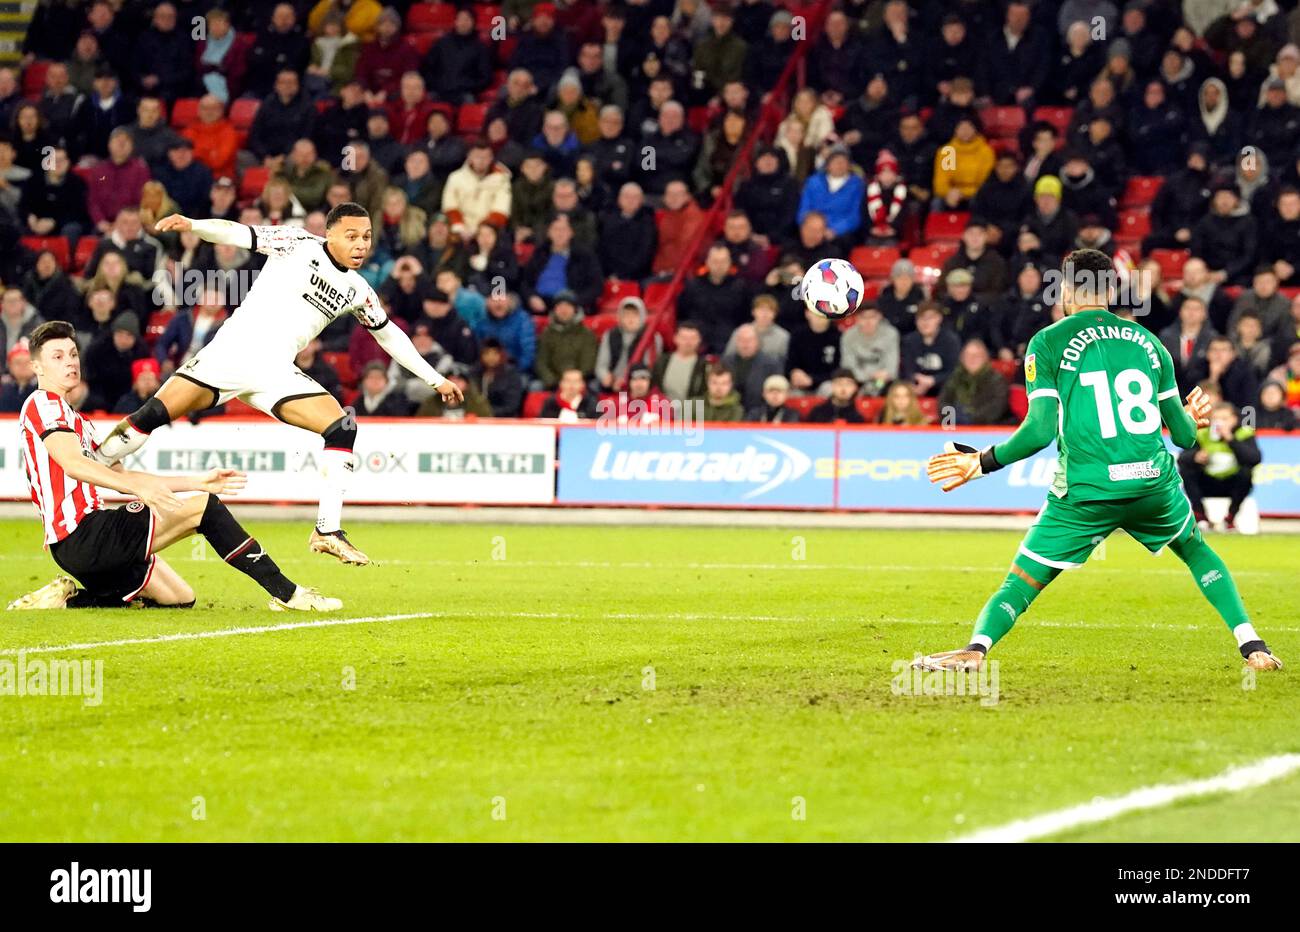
[[62, 501]]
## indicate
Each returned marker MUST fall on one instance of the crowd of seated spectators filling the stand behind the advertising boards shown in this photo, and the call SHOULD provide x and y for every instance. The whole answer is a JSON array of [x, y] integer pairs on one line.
[[538, 172]]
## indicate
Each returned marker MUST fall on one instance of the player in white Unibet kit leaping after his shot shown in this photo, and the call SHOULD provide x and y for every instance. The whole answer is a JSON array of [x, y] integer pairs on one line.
[[306, 284]]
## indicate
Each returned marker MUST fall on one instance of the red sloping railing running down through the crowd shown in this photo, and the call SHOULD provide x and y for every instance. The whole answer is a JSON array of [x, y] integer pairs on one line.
[[664, 314]]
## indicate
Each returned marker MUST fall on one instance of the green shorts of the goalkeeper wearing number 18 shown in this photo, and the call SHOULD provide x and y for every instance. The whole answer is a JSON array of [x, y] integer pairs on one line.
[[1068, 532]]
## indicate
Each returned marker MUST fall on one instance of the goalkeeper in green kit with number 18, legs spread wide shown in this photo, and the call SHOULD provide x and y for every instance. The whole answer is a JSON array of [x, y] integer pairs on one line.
[[1100, 387]]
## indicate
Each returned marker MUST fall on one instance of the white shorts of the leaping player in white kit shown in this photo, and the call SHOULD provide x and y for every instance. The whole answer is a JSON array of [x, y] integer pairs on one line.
[[249, 376]]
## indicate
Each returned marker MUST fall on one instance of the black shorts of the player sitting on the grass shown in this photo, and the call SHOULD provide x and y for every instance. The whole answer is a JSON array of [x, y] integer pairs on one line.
[[110, 552]]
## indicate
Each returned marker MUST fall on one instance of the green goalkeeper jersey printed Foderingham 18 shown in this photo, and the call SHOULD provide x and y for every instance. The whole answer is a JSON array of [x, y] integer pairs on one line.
[[1110, 376]]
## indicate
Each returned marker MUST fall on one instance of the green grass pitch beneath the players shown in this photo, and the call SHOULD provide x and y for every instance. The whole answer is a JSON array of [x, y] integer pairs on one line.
[[647, 684]]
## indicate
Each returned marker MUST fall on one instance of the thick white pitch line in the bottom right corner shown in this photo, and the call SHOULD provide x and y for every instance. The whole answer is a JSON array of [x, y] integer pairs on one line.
[[1103, 809]]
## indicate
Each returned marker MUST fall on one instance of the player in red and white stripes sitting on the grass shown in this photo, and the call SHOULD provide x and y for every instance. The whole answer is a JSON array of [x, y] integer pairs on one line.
[[114, 553]]
